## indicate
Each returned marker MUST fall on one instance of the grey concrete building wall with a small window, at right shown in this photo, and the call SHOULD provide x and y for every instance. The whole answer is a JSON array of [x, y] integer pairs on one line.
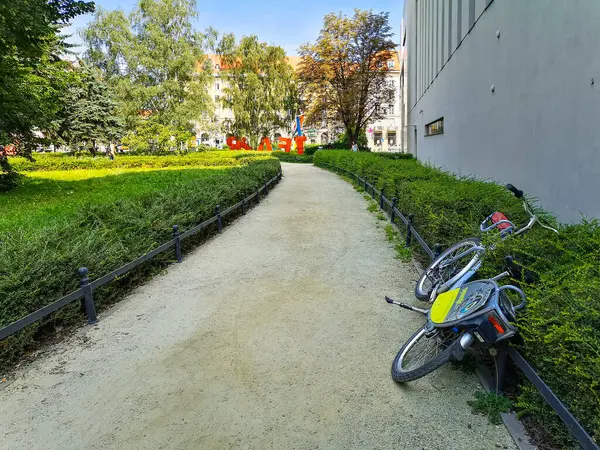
[[540, 129]]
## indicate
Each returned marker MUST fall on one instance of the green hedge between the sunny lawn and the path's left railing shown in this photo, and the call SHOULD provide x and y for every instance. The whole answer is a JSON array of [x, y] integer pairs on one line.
[[40, 265]]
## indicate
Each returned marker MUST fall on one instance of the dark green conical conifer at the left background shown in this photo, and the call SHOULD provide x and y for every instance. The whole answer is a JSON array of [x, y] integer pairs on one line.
[[88, 117]]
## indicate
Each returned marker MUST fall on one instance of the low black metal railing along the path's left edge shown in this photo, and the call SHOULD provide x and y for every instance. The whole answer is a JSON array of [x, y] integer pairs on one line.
[[87, 287]]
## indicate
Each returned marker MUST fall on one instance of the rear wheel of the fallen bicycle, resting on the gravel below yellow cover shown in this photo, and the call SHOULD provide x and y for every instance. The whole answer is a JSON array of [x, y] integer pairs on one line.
[[423, 354]]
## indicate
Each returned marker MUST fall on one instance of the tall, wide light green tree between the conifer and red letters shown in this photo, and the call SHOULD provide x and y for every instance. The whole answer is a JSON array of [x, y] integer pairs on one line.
[[150, 58]]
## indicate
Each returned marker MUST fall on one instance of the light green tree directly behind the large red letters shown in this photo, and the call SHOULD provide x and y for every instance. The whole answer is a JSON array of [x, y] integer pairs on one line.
[[259, 87]]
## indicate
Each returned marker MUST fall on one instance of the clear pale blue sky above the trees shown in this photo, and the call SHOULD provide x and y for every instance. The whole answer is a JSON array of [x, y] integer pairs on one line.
[[272, 20]]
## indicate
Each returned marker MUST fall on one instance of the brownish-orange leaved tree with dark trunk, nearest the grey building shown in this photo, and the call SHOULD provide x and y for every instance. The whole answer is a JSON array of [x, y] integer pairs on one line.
[[343, 74]]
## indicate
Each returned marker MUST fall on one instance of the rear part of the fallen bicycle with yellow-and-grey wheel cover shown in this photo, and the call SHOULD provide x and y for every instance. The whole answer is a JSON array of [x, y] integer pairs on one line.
[[475, 314]]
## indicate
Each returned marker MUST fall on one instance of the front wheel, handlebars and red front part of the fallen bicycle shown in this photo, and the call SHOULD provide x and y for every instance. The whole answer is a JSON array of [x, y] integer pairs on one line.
[[453, 268]]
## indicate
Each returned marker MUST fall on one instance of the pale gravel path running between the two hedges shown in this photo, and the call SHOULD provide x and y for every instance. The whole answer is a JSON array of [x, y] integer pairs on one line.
[[273, 335]]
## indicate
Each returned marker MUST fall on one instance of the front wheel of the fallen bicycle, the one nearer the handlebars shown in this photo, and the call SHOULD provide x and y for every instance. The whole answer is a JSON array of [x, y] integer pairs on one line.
[[446, 267]]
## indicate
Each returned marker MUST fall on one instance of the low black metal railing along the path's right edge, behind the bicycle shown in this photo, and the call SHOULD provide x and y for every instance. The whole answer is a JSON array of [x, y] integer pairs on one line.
[[575, 428]]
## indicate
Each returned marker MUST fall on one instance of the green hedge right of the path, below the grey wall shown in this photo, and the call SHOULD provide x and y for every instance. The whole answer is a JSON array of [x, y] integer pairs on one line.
[[560, 327]]
